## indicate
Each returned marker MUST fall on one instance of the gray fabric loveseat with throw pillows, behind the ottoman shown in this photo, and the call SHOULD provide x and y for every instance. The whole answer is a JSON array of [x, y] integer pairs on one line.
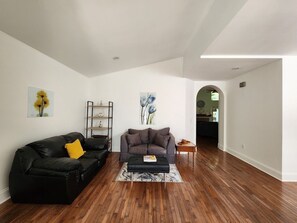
[[148, 142]]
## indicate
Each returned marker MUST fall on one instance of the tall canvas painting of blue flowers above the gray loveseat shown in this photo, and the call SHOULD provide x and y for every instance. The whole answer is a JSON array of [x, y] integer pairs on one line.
[[148, 108]]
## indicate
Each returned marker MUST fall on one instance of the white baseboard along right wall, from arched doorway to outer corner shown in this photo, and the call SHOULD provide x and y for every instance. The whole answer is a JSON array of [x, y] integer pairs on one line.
[[266, 169]]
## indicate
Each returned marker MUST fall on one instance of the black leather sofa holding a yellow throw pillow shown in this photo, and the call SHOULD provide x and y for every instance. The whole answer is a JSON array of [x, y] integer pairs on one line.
[[42, 171]]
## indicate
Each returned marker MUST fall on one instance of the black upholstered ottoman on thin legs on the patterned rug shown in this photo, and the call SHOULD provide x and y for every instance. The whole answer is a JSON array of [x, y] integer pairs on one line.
[[136, 164]]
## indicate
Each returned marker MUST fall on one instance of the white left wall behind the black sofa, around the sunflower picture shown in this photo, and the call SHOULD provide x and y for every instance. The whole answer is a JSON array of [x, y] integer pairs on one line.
[[22, 67]]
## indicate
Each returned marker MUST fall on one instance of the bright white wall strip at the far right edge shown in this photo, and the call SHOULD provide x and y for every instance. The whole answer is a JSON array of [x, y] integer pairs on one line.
[[289, 128]]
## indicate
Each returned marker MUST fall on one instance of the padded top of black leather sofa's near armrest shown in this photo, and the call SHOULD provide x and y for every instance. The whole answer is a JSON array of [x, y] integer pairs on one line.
[[62, 164]]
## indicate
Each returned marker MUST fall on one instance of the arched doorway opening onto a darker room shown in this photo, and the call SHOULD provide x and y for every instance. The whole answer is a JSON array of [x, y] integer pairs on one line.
[[210, 115]]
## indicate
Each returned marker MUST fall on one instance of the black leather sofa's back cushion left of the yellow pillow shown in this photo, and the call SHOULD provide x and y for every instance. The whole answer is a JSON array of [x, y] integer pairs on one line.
[[50, 147]]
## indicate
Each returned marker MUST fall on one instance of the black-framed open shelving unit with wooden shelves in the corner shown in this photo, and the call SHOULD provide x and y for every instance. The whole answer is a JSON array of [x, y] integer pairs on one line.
[[104, 126]]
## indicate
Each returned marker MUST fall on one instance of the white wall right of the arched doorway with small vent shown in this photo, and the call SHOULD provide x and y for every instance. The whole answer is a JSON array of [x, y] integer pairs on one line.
[[254, 118]]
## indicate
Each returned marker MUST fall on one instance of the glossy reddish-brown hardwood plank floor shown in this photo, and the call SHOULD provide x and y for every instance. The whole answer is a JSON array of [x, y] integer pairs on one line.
[[219, 188]]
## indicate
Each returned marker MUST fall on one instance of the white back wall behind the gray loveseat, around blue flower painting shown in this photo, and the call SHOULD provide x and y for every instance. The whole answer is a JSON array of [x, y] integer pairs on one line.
[[173, 95]]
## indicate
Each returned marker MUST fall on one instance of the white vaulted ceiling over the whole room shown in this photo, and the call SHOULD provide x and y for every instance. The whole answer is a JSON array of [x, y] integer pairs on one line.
[[87, 35]]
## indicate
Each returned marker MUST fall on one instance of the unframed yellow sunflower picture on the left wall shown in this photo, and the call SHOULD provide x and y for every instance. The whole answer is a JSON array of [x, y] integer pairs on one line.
[[40, 102]]
